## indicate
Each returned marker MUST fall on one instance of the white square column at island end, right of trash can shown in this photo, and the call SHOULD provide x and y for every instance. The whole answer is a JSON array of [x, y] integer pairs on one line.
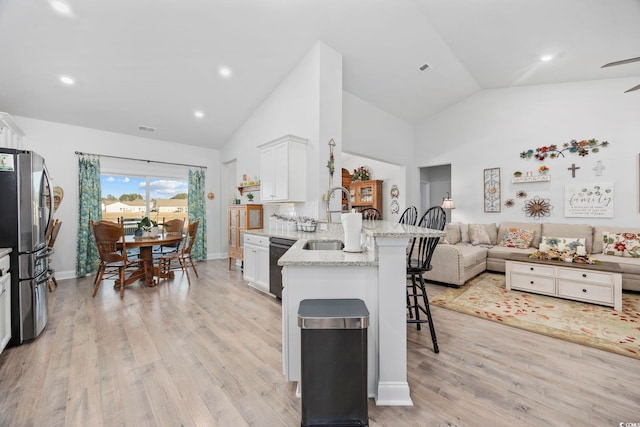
[[393, 388]]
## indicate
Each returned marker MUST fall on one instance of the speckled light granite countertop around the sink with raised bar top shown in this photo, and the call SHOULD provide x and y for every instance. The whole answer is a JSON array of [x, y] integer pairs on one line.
[[368, 257]]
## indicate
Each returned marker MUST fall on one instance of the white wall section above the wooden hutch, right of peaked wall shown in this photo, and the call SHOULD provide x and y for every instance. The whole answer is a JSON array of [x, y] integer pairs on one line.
[[376, 135]]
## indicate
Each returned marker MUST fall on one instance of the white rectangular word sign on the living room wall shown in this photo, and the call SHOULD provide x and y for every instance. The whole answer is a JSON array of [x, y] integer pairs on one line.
[[588, 200]]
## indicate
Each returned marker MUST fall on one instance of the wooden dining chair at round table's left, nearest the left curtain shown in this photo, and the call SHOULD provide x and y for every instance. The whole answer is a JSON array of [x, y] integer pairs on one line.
[[112, 250]]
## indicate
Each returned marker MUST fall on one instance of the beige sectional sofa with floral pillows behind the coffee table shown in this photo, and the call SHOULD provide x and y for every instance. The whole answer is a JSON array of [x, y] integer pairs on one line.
[[457, 259]]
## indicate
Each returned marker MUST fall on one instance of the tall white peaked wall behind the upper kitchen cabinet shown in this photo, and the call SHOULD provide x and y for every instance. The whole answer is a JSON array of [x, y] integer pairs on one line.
[[308, 104]]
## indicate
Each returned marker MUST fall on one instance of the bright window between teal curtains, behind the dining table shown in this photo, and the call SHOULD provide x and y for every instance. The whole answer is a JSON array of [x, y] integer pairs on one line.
[[132, 197]]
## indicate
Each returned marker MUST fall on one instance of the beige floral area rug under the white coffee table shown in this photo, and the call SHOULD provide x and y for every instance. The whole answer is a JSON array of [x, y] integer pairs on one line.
[[592, 325]]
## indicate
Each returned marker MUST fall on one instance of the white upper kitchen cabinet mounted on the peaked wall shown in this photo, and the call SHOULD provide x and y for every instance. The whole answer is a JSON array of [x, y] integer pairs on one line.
[[282, 169]]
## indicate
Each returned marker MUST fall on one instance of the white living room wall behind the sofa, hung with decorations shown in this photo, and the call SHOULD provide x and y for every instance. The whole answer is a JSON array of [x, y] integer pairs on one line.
[[492, 127]]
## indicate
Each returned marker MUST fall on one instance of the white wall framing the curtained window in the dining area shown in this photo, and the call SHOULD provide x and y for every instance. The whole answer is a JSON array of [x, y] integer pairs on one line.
[[57, 143]]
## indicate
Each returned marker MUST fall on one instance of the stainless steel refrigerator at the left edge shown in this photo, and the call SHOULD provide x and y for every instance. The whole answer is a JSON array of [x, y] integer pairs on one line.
[[26, 208]]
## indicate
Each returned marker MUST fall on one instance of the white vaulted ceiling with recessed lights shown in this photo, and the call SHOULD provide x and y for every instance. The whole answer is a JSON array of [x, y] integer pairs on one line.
[[155, 62]]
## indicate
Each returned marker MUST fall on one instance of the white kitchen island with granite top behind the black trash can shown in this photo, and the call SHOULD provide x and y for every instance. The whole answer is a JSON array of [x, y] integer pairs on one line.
[[377, 276]]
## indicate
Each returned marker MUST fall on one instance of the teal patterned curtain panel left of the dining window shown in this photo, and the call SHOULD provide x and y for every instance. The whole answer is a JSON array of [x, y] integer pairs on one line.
[[89, 194]]
